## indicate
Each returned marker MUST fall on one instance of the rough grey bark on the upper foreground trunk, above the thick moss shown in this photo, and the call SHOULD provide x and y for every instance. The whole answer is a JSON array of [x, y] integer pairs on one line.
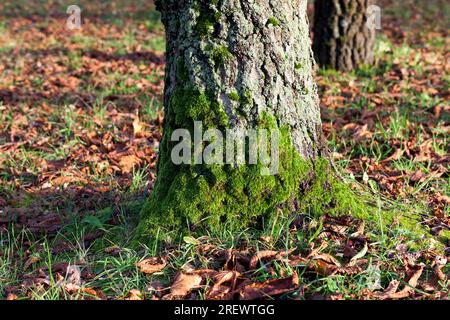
[[257, 48]]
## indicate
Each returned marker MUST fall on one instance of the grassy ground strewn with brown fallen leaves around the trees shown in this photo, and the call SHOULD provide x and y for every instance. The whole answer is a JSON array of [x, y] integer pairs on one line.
[[80, 122]]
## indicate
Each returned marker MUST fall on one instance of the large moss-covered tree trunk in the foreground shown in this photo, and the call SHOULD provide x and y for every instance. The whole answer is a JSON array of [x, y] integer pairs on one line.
[[237, 64]]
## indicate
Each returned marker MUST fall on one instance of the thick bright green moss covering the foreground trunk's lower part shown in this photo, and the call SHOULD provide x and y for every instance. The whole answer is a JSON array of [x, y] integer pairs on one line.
[[195, 198]]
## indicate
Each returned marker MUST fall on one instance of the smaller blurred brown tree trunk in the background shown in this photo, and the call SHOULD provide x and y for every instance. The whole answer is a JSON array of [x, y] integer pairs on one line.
[[343, 36]]
